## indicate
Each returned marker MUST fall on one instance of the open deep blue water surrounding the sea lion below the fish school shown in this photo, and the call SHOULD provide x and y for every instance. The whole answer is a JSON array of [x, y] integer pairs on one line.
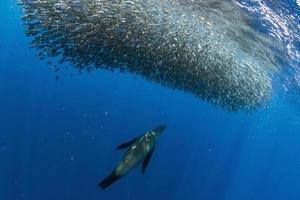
[[58, 138]]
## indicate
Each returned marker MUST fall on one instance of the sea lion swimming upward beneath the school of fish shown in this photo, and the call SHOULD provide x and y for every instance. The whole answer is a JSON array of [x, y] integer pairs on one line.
[[139, 150]]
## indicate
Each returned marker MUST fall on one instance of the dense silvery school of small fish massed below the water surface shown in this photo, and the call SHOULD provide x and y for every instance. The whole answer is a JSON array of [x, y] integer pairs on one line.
[[180, 44]]
